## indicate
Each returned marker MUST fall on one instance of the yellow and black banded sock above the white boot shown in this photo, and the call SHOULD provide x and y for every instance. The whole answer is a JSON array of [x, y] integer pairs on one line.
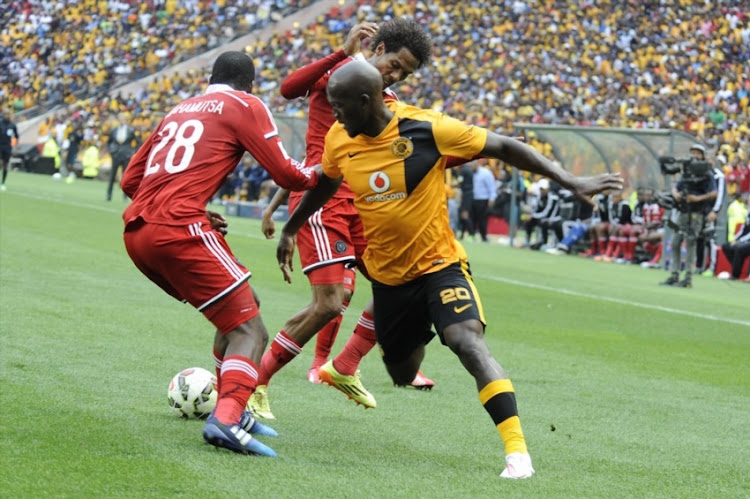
[[499, 400]]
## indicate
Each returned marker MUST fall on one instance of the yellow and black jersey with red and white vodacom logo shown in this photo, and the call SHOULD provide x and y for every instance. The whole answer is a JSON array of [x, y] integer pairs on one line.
[[398, 182]]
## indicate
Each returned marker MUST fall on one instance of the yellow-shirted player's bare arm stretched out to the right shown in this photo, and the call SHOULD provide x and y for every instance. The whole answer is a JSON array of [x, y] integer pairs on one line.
[[521, 156]]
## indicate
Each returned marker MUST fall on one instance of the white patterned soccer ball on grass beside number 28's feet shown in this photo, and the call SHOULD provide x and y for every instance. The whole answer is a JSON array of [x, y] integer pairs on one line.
[[192, 393]]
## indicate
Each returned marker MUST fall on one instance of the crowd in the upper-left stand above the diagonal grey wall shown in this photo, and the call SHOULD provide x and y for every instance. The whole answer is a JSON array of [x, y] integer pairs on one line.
[[58, 51]]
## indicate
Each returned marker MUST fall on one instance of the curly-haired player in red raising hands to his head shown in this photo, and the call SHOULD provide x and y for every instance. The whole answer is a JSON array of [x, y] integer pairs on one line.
[[333, 239]]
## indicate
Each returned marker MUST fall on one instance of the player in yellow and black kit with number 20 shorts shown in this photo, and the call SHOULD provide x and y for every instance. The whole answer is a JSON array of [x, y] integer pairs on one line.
[[394, 158]]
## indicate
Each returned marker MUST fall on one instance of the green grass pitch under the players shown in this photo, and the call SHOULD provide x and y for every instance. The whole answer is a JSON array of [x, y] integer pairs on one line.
[[625, 388]]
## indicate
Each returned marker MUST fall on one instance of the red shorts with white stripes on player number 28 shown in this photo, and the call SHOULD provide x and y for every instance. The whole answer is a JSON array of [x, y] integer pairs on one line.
[[194, 264]]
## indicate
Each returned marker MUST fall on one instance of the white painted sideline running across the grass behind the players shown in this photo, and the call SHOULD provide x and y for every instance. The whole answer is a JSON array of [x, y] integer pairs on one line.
[[490, 278]]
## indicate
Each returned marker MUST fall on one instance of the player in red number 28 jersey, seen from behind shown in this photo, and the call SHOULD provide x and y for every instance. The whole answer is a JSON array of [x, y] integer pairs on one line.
[[170, 238]]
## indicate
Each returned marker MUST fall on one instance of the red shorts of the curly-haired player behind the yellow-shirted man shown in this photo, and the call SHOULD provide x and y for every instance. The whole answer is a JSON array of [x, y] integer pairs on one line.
[[331, 239]]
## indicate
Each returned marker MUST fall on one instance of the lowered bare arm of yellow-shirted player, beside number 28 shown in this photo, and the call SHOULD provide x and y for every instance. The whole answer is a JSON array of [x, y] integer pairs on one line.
[[312, 201]]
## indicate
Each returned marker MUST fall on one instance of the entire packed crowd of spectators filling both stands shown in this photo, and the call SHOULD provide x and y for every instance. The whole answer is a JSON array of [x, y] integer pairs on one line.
[[673, 64]]
